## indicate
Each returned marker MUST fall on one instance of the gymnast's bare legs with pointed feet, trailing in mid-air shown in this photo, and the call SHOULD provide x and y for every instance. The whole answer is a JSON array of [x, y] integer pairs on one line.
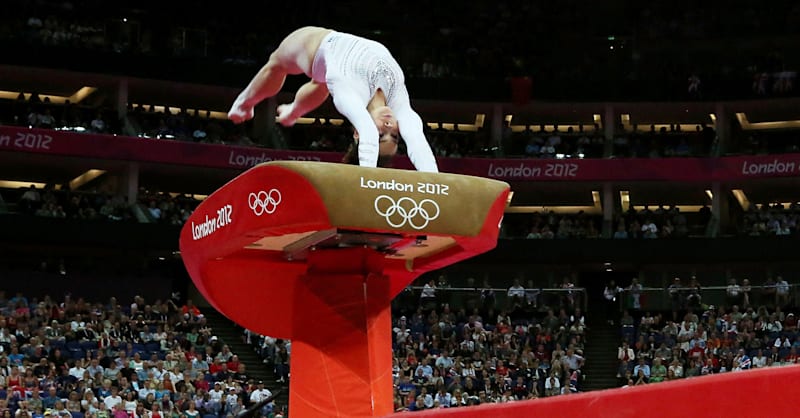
[[294, 55]]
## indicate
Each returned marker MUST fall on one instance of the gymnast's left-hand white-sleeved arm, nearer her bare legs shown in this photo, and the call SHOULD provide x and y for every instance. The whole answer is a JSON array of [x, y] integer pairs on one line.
[[352, 107]]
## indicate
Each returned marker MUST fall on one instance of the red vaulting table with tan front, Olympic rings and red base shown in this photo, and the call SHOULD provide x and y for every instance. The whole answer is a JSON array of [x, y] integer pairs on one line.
[[315, 252]]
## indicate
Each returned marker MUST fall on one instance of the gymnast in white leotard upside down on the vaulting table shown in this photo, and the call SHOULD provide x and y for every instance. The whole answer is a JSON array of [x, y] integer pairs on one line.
[[367, 86]]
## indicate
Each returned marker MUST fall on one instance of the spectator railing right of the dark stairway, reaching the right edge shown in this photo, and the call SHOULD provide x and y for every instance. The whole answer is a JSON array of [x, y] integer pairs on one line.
[[681, 298]]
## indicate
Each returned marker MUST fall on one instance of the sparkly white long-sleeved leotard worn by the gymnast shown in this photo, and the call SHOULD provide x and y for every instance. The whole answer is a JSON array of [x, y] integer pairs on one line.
[[354, 68]]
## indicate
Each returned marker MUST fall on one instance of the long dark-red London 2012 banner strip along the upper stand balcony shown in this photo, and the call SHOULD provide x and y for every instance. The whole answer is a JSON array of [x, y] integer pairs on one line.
[[110, 147]]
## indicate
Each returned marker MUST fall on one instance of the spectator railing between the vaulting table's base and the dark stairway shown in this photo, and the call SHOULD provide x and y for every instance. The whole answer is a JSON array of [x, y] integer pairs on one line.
[[468, 298]]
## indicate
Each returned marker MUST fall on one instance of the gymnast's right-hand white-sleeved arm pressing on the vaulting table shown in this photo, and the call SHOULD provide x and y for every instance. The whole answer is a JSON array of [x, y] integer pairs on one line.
[[410, 124]]
